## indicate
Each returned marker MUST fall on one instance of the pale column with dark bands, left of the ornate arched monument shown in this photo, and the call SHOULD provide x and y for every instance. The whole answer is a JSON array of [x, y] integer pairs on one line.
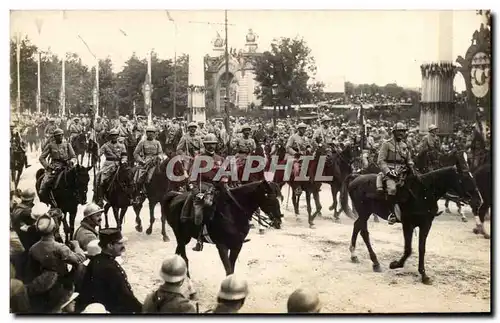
[[196, 89]]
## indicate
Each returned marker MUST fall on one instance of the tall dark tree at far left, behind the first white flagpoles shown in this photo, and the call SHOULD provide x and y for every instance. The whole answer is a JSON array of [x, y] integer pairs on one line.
[[28, 71]]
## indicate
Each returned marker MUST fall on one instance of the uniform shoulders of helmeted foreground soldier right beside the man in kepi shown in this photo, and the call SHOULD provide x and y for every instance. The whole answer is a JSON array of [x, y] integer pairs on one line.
[[167, 299]]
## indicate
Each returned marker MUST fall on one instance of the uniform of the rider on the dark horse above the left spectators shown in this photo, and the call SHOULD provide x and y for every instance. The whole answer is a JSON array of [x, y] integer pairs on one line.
[[60, 155]]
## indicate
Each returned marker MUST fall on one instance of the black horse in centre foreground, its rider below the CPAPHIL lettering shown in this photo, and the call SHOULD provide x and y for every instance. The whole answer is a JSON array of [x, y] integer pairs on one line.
[[231, 221]]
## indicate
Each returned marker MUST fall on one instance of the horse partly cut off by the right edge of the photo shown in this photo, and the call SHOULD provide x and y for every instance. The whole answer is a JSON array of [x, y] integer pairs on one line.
[[482, 176]]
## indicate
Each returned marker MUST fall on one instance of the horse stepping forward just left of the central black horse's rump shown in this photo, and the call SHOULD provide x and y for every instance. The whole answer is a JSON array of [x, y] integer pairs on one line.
[[156, 189]]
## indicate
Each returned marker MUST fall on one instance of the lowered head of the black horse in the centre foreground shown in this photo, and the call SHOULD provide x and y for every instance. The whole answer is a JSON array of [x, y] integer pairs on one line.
[[269, 199]]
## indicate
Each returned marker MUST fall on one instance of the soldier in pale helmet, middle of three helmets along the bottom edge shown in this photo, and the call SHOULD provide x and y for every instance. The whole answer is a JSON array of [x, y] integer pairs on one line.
[[232, 295]]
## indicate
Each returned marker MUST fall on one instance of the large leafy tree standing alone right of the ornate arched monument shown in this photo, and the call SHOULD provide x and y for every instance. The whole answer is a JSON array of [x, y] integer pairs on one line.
[[288, 65]]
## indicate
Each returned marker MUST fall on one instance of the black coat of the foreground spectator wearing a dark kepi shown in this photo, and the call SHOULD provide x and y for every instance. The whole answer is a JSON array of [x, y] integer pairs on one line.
[[105, 282]]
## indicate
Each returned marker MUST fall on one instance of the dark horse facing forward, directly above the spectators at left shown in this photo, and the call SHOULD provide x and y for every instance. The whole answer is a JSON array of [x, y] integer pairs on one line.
[[68, 190]]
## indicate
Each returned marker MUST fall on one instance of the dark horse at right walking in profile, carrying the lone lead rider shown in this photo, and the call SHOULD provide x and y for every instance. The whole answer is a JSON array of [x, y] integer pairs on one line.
[[418, 202]]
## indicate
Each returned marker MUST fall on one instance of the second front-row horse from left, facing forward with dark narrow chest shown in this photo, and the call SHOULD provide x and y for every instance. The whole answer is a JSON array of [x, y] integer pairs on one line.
[[118, 194]]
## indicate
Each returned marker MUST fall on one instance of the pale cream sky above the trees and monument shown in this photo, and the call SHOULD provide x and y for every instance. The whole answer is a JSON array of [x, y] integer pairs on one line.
[[358, 46]]
